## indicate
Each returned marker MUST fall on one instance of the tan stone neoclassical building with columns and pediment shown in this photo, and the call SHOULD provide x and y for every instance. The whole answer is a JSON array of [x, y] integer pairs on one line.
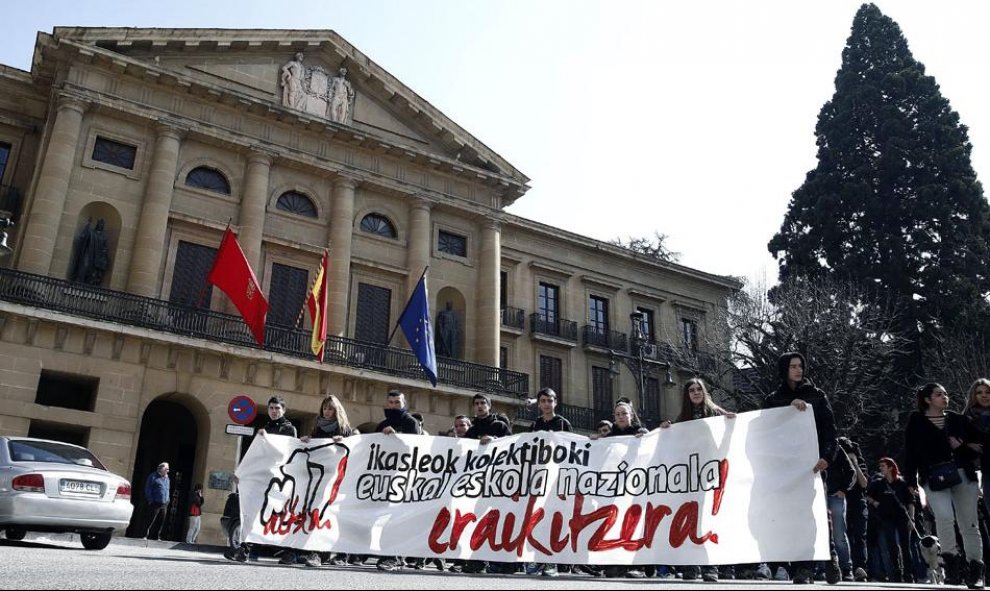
[[137, 147]]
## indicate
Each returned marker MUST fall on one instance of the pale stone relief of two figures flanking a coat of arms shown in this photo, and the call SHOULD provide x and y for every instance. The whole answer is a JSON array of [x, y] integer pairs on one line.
[[313, 90]]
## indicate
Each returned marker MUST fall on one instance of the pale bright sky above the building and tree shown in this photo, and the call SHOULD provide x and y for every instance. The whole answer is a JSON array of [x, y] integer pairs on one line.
[[692, 119]]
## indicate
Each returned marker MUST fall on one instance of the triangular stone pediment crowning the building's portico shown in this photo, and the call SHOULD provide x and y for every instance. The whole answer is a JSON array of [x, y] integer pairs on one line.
[[263, 64]]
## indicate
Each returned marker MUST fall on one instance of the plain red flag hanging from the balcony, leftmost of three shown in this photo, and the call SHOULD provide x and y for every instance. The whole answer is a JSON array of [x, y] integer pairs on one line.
[[232, 273]]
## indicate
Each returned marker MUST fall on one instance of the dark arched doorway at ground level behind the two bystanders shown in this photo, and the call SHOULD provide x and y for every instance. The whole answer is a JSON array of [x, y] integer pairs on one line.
[[168, 434]]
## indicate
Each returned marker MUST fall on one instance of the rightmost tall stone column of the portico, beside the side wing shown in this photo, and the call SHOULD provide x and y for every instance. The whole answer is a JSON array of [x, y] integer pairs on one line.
[[487, 294]]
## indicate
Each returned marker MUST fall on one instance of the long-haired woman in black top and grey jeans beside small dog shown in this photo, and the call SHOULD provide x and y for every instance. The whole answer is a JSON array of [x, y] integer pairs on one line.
[[942, 449]]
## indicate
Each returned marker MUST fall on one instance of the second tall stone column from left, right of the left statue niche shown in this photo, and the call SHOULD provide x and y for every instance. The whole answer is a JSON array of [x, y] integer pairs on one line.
[[149, 241]]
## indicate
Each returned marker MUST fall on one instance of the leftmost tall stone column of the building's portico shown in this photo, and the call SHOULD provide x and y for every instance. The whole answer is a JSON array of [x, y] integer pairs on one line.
[[38, 240]]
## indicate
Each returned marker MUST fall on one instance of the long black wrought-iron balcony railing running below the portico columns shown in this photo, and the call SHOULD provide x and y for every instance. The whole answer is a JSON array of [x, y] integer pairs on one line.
[[124, 308]]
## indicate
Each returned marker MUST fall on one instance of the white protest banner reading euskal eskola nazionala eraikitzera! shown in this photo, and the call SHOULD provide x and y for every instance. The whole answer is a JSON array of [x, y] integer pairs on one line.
[[712, 491]]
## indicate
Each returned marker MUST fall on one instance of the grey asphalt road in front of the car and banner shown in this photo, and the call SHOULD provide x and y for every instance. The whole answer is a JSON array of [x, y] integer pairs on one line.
[[60, 562]]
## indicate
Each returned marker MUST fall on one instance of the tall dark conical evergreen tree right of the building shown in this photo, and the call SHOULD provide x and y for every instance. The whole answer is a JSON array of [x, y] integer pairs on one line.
[[894, 202]]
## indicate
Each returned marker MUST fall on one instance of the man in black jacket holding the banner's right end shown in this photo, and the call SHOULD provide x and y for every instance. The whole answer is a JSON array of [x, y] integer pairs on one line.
[[798, 391]]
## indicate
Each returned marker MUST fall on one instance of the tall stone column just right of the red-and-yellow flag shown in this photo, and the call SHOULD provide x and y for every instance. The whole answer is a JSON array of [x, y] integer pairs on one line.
[[341, 232]]
